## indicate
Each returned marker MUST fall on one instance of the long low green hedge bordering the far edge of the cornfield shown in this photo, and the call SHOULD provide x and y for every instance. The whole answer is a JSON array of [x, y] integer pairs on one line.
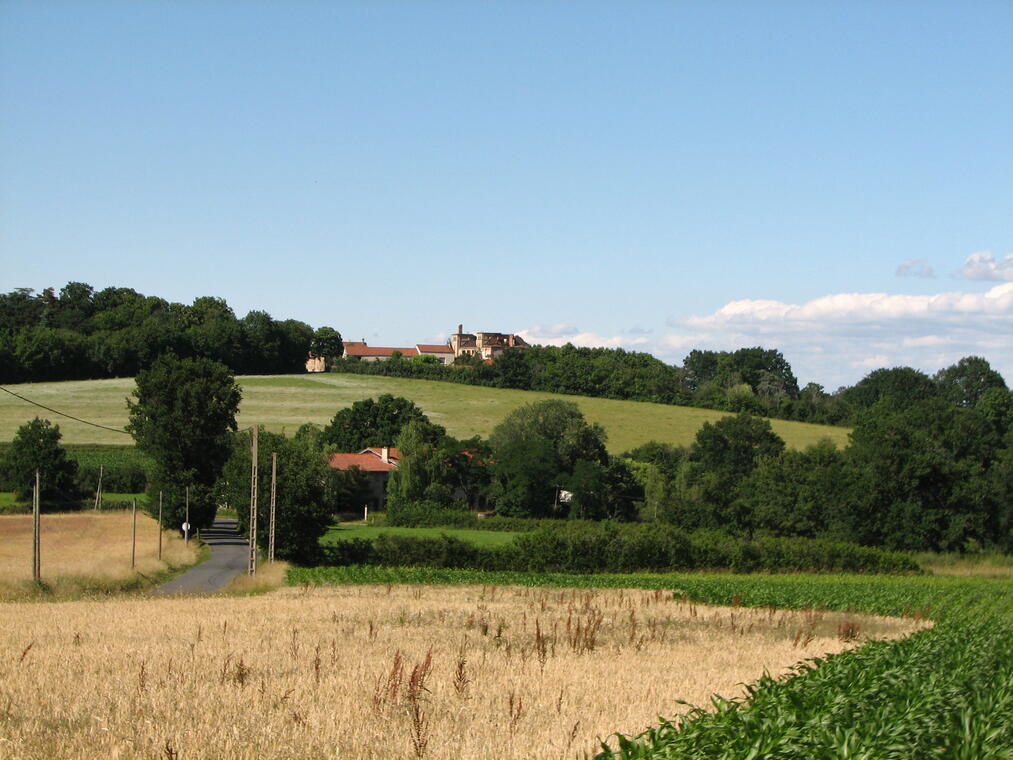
[[616, 548]]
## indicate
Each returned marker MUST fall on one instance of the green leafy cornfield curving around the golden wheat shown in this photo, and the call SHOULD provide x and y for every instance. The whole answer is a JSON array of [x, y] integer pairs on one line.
[[946, 693]]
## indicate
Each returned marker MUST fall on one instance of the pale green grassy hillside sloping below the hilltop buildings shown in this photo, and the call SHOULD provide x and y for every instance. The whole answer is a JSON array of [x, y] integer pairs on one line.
[[284, 403]]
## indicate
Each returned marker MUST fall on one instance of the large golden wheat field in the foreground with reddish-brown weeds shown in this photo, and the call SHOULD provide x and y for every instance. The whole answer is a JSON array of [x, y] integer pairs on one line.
[[381, 672]]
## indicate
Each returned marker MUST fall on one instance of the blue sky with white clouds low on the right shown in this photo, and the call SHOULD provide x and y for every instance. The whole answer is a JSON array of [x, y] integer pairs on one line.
[[831, 180]]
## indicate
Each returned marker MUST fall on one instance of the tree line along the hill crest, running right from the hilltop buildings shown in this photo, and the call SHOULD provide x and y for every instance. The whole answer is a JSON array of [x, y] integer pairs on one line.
[[755, 381]]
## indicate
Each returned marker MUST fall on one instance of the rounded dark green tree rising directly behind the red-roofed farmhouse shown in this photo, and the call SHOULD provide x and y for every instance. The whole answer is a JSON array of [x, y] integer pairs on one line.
[[376, 423]]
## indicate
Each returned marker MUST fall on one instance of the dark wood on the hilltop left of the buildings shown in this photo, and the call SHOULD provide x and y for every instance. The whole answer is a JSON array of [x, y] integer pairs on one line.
[[83, 334]]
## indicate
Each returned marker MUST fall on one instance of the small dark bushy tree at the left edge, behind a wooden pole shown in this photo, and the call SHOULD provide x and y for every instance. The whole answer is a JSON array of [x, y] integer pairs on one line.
[[37, 447]]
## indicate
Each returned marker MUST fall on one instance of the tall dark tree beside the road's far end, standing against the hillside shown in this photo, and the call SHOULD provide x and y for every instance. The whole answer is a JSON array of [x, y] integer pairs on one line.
[[183, 418]]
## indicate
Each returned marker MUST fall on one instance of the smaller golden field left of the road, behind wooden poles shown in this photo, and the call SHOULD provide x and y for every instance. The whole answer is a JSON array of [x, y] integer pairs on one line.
[[86, 548]]
